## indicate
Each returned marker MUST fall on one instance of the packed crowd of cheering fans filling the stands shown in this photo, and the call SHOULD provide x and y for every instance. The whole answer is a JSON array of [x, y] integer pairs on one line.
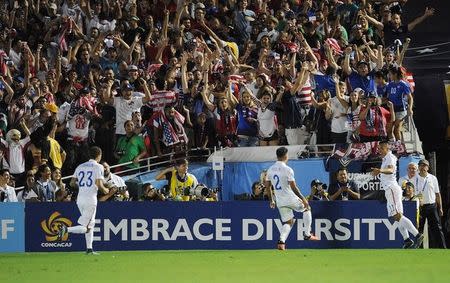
[[143, 78]]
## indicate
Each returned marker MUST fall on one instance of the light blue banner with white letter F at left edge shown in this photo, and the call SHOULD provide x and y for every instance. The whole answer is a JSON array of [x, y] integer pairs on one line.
[[12, 227]]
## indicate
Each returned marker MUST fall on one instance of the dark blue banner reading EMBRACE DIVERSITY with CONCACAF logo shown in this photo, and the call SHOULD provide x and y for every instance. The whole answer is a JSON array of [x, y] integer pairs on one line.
[[222, 225]]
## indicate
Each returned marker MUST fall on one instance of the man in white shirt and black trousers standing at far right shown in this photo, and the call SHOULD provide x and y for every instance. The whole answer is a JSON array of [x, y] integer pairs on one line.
[[427, 190]]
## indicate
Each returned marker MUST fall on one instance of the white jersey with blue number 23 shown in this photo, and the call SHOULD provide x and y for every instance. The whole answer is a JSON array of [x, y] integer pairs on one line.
[[86, 174]]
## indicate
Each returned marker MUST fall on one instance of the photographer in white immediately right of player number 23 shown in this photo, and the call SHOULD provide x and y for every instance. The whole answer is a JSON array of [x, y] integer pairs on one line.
[[118, 188]]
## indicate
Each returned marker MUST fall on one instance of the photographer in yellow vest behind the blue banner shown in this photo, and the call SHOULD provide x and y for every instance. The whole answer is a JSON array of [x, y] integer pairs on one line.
[[178, 179]]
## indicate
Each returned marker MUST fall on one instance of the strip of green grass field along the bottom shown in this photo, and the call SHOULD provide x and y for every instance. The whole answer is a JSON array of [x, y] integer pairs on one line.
[[230, 266]]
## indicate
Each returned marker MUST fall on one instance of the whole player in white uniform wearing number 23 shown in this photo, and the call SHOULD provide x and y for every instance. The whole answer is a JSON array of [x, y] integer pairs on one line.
[[88, 177]]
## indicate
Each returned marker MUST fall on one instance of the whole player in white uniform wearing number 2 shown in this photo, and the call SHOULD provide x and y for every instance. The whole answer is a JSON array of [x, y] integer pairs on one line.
[[287, 197]]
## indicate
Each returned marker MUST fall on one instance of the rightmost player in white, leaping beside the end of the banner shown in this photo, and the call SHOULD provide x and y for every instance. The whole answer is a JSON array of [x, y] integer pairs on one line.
[[393, 194]]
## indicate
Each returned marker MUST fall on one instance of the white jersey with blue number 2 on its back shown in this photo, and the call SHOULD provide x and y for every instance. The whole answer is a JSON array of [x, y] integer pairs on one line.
[[280, 175]]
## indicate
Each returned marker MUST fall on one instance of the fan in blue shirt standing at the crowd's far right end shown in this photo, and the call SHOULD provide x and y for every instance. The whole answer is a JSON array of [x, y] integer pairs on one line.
[[399, 93]]
